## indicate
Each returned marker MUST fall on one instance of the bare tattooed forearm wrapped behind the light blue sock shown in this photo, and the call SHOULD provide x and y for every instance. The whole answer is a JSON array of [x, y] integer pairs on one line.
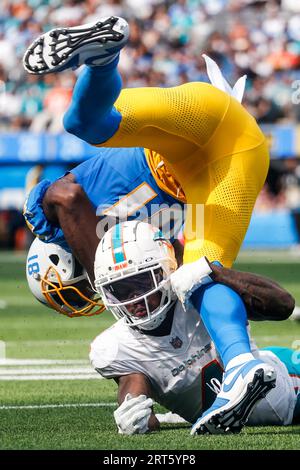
[[264, 299]]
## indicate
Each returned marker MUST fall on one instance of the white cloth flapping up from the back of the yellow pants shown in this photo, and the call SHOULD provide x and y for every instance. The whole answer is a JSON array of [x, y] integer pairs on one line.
[[218, 80]]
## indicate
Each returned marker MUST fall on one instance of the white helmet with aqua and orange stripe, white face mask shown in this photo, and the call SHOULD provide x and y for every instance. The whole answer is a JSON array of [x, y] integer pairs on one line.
[[133, 265]]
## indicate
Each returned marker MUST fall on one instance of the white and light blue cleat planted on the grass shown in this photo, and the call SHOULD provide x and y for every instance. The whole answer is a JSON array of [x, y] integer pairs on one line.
[[242, 388]]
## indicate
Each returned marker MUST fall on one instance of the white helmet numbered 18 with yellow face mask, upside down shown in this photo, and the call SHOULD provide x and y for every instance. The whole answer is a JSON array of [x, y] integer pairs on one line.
[[57, 280]]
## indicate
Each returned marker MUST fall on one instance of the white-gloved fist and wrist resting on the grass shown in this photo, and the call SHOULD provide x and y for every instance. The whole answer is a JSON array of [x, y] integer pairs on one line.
[[135, 412]]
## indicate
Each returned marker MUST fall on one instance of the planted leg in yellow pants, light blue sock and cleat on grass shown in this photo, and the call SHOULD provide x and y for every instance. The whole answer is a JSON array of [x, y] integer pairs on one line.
[[228, 189]]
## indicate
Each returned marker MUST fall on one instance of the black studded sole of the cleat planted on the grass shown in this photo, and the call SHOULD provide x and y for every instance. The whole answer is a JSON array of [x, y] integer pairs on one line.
[[232, 420]]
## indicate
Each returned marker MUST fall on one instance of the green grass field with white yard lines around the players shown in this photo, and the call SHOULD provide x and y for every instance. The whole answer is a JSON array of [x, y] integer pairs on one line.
[[70, 410]]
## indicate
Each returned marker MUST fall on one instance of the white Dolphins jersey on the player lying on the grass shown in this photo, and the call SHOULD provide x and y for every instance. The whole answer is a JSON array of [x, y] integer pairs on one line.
[[182, 367]]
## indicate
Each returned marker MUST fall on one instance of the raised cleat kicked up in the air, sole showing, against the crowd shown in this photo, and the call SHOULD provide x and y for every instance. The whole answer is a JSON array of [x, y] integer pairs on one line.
[[91, 44]]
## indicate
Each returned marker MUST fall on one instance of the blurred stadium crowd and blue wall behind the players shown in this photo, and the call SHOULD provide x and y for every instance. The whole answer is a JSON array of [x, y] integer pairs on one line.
[[259, 38]]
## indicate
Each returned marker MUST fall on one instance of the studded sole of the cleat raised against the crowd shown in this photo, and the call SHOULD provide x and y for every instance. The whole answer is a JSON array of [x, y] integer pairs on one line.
[[65, 42]]
